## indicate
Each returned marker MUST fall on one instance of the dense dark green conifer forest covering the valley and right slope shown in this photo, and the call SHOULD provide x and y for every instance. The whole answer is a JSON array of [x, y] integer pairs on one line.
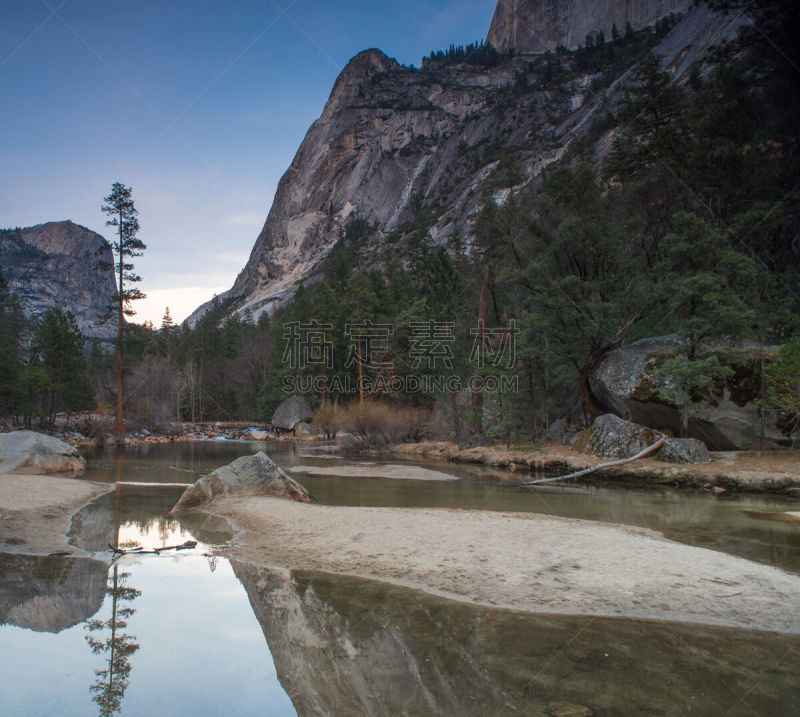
[[688, 226]]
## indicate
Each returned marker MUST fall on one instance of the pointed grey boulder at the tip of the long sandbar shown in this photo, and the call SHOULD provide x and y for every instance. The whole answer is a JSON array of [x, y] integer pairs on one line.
[[248, 475]]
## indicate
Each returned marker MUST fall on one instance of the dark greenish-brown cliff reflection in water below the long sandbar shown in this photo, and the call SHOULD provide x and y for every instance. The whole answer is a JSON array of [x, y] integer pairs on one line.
[[345, 646]]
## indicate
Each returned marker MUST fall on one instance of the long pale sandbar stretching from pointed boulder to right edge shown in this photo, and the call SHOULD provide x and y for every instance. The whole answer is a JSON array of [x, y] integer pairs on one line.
[[521, 561]]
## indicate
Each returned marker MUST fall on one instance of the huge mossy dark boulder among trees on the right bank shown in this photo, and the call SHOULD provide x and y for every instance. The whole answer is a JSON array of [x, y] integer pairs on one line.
[[627, 384]]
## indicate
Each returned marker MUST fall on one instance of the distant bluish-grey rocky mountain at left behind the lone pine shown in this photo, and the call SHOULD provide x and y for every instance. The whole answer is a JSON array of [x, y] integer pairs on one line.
[[56, 264]]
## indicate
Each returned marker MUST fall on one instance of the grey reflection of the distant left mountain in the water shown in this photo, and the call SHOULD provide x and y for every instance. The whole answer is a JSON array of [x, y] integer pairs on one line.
[[50, 594]]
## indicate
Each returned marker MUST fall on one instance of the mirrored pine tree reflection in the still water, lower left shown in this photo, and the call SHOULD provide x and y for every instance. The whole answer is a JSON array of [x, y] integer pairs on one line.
[[109, 637]]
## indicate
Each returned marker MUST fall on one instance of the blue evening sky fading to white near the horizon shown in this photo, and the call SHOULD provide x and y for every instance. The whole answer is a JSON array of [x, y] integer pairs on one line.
[[198, 105]]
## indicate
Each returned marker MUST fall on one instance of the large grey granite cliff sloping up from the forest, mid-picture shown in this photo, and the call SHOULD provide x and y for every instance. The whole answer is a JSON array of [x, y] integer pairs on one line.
[[394, 140]]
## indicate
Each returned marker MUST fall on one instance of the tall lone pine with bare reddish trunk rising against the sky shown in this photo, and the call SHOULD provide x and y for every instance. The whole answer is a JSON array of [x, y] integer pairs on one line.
[[123, 215]]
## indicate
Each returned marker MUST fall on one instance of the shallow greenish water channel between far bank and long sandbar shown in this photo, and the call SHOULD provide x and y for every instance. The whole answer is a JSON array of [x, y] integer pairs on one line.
[[689, 516]]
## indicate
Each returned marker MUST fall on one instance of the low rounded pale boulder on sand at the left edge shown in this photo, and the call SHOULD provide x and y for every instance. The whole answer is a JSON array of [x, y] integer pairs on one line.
[[31, 453]]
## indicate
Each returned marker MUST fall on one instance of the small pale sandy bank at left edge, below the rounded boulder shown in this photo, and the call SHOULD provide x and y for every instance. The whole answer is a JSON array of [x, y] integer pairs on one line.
[[35, 511]]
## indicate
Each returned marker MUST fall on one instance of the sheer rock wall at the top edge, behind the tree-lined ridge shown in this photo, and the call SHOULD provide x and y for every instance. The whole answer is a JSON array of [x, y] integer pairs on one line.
[[542, 25]]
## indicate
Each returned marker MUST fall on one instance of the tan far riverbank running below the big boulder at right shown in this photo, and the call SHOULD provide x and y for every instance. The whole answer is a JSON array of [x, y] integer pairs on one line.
[[755, 471]]
